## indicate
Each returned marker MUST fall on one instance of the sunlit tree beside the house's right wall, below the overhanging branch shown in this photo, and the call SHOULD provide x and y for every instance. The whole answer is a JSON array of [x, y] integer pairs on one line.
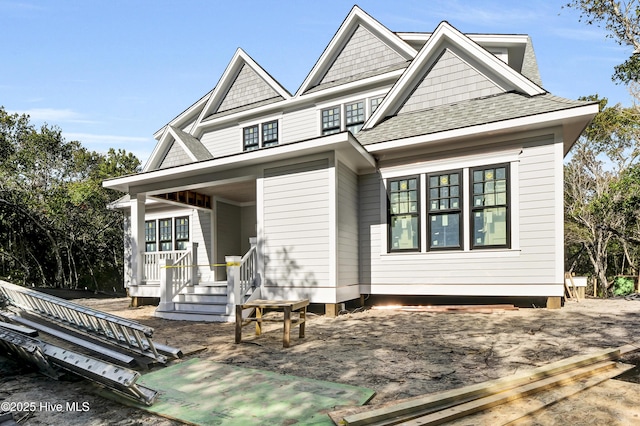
[[602, 191]]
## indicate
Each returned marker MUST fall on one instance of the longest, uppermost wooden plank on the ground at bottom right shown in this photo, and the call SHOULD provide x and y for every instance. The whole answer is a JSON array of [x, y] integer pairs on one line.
[[436, 401]]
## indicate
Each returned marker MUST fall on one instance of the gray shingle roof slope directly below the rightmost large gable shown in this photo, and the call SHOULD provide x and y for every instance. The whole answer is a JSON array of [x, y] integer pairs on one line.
[[474, 112]]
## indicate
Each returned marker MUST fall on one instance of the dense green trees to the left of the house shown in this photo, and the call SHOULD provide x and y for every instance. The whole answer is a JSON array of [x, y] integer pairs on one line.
[[55, 228]]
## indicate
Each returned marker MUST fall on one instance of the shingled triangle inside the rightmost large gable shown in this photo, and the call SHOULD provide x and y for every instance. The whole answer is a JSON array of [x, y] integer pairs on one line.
[[450, 80]]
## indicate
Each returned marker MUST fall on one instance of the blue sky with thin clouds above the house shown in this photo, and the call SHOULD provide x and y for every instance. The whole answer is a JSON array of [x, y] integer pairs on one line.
[[109, 73]]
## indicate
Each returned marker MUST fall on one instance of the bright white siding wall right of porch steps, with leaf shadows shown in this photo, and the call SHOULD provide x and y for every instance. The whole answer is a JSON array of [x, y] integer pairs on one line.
[[296, 221]]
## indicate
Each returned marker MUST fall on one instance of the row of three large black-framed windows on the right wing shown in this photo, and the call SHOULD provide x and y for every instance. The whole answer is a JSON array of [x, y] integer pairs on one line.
[[478, 207]]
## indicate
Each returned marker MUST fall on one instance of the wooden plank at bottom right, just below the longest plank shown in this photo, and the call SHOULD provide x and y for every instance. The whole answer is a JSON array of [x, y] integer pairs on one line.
[[475, 406]]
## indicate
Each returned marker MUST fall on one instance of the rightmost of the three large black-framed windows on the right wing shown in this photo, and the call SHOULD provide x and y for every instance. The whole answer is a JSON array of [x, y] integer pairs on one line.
[[490, 225]]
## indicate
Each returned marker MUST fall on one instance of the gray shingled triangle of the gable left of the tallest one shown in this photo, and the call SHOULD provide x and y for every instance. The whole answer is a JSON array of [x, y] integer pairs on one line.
[[248, 88]]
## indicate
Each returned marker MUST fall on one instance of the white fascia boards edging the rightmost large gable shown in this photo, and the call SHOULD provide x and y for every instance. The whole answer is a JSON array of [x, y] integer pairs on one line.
[[446, 32]]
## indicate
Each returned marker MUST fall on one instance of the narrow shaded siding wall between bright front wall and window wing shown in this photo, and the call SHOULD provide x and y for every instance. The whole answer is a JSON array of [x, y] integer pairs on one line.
[[347, 223]]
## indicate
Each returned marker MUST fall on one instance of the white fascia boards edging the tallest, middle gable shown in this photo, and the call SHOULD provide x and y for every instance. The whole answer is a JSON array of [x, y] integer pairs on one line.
[[356, 17]]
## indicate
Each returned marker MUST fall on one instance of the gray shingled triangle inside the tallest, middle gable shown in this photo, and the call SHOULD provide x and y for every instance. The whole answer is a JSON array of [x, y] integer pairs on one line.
[[362, 53]]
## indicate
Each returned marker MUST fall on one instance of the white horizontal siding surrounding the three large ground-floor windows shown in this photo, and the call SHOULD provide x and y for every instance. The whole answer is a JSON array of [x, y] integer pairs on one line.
[[528, 269]]
